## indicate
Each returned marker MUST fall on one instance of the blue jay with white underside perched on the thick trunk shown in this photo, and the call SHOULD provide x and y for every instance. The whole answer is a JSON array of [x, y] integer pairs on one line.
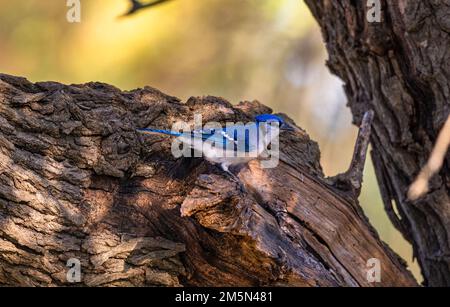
[[233, 144]]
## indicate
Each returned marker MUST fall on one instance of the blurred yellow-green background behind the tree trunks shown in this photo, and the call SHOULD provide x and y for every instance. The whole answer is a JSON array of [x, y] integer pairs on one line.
[[269, 50]]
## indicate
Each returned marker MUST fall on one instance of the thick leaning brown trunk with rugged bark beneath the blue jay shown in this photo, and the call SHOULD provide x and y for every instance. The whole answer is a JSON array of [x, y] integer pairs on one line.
[[78, 181]]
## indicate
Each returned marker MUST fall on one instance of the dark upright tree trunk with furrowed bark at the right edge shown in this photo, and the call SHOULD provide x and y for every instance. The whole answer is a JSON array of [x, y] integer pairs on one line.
[[400, 68]]
